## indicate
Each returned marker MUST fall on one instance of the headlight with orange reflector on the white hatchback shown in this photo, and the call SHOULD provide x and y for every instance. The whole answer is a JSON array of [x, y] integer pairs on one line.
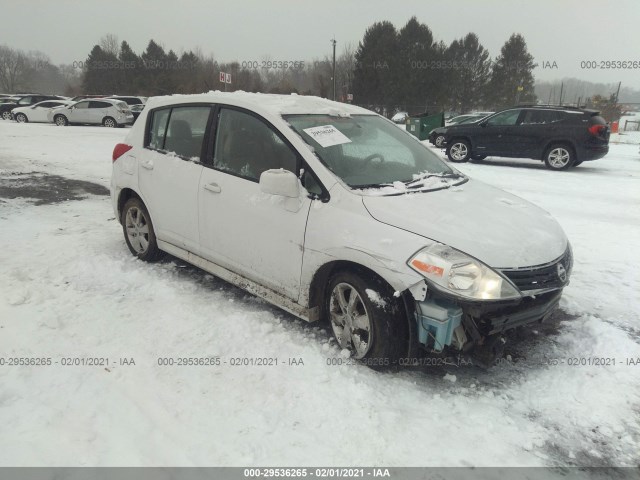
[[461, 274]]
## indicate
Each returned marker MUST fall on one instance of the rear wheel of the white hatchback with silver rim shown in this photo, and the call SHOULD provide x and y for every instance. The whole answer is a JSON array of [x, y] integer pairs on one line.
[[138, 231]]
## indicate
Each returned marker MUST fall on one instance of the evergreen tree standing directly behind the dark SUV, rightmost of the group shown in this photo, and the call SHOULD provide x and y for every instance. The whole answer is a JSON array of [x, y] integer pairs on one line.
[[511, 80]]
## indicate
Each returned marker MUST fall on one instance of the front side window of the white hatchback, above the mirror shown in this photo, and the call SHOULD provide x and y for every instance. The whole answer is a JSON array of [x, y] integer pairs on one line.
[[247, 146]]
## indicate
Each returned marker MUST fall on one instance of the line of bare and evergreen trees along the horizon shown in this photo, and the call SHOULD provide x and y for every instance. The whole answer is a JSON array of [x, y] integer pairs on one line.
[[389, 70]]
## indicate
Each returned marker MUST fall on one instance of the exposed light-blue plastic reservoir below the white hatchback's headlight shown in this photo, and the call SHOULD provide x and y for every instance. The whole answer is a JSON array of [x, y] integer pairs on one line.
[[437, 319]]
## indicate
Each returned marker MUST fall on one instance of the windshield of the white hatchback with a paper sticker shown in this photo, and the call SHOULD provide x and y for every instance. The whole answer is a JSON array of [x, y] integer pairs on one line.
[[366, 151]]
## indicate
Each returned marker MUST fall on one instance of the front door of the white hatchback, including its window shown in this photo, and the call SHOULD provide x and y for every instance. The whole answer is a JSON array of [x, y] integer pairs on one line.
[[257, 235]]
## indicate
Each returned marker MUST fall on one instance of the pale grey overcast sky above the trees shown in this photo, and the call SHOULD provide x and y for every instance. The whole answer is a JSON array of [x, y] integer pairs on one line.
[[566, 32]]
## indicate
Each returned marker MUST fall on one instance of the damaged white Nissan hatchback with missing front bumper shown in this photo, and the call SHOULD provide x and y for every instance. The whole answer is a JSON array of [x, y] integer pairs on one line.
[[331, 212]]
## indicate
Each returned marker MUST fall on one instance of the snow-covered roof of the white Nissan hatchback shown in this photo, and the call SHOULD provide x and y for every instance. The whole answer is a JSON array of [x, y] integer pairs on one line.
[[266, 103]]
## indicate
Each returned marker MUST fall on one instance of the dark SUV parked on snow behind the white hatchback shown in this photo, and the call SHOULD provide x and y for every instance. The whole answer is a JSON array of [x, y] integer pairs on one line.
[[562, 137]]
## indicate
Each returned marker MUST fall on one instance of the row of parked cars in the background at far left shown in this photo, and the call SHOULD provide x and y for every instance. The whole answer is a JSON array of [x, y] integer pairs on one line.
[[111, 111]]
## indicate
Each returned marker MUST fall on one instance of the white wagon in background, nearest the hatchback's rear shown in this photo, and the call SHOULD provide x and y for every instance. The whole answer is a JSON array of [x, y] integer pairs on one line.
[[93, 111]]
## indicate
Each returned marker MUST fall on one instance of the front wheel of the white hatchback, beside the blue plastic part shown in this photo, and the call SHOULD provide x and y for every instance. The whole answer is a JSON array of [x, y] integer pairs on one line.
[[374, 331]]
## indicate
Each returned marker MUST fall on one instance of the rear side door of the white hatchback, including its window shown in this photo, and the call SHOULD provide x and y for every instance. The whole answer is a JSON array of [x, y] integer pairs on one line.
[[169, 169]]
